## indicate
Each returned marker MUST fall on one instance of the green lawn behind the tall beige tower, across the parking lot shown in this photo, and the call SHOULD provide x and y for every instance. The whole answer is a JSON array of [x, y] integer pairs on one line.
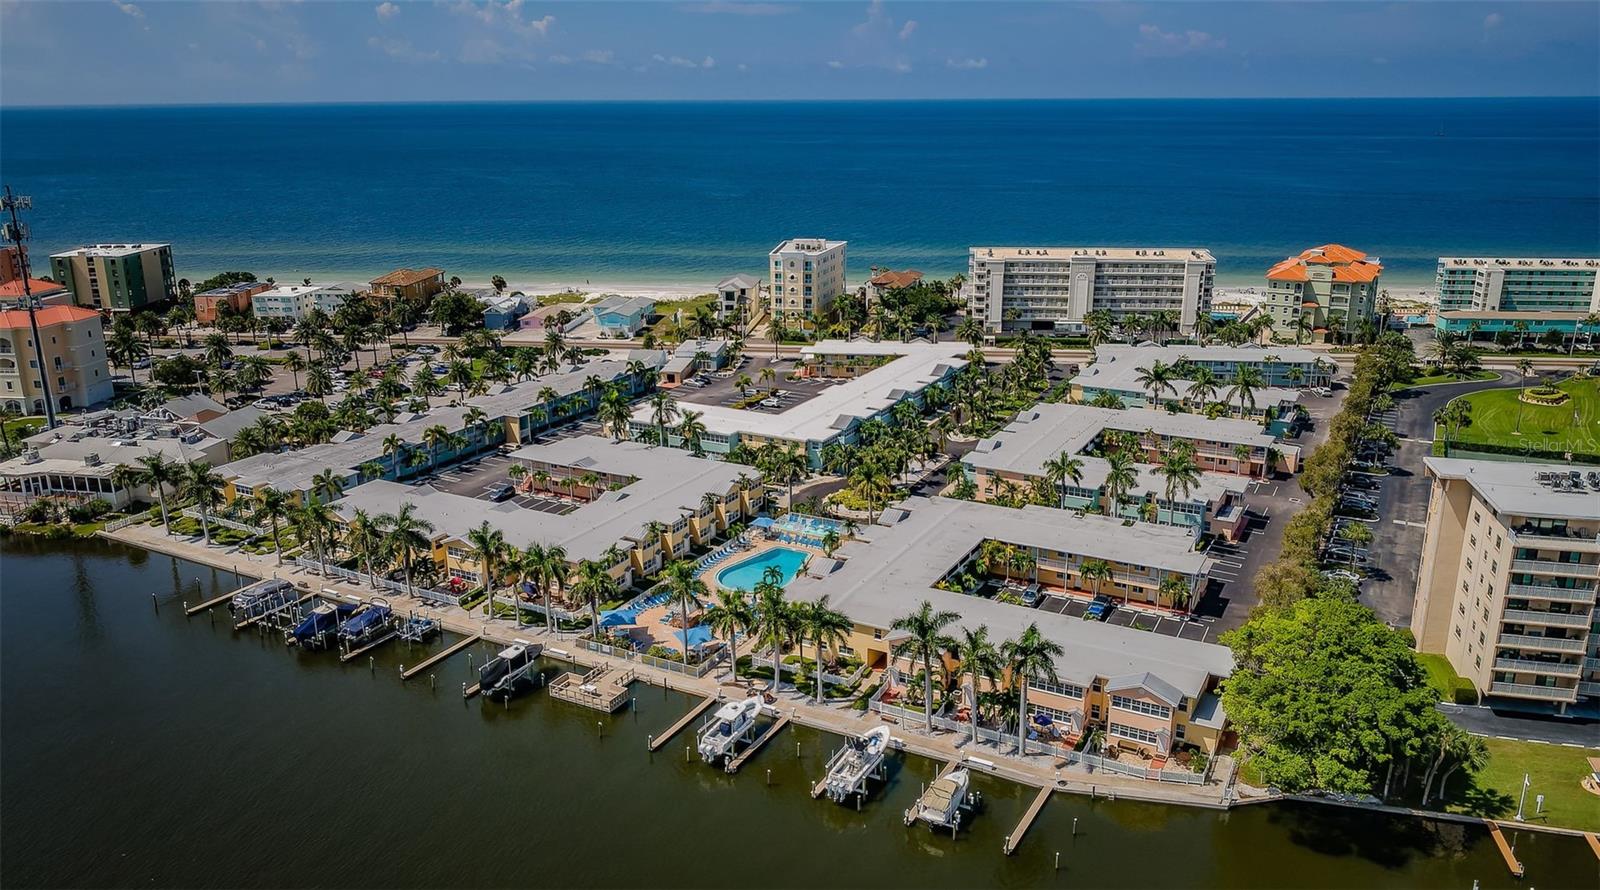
[[1564, 428]]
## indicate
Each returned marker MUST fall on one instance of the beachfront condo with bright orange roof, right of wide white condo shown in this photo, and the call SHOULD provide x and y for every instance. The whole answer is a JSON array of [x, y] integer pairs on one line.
[[1324, 284]]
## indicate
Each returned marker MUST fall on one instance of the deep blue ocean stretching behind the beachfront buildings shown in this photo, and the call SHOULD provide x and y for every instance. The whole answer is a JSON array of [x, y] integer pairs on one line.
[[686, 193]]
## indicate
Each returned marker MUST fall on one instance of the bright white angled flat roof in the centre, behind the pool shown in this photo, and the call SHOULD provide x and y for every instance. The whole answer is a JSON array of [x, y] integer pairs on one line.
[[834, 407]]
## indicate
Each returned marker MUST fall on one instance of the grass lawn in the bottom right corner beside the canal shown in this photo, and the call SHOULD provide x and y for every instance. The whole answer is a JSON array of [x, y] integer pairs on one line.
[[1553, 771]]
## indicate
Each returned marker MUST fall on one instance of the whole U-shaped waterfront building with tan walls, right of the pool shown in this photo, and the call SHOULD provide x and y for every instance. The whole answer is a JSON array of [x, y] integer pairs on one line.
[[1150, 692]]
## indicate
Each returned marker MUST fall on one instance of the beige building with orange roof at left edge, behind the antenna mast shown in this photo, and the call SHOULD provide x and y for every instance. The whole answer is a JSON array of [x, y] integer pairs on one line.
[[74, 359]]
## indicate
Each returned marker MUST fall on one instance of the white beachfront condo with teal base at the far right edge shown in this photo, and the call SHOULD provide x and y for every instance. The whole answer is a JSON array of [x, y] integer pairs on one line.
[[1482, 297]]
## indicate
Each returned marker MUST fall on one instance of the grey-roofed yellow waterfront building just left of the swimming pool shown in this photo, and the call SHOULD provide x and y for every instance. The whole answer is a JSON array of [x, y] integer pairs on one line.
[[641, 507]]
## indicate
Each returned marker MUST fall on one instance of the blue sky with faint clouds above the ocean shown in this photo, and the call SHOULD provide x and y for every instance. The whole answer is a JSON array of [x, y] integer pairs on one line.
[[151, 52]]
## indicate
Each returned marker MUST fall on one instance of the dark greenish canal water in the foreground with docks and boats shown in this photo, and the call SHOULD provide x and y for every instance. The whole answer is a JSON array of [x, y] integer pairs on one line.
[[145, 748]]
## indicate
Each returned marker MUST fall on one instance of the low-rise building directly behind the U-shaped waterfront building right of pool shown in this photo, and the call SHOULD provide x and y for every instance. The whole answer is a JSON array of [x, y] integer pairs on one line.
[[1015, 460]]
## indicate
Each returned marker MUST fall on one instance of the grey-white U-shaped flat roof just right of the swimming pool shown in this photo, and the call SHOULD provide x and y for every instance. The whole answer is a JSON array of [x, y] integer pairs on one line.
[[894, 569]]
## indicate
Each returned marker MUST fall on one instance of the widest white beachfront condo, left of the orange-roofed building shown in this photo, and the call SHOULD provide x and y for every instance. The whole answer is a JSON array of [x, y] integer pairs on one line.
[[1054, 289]]
